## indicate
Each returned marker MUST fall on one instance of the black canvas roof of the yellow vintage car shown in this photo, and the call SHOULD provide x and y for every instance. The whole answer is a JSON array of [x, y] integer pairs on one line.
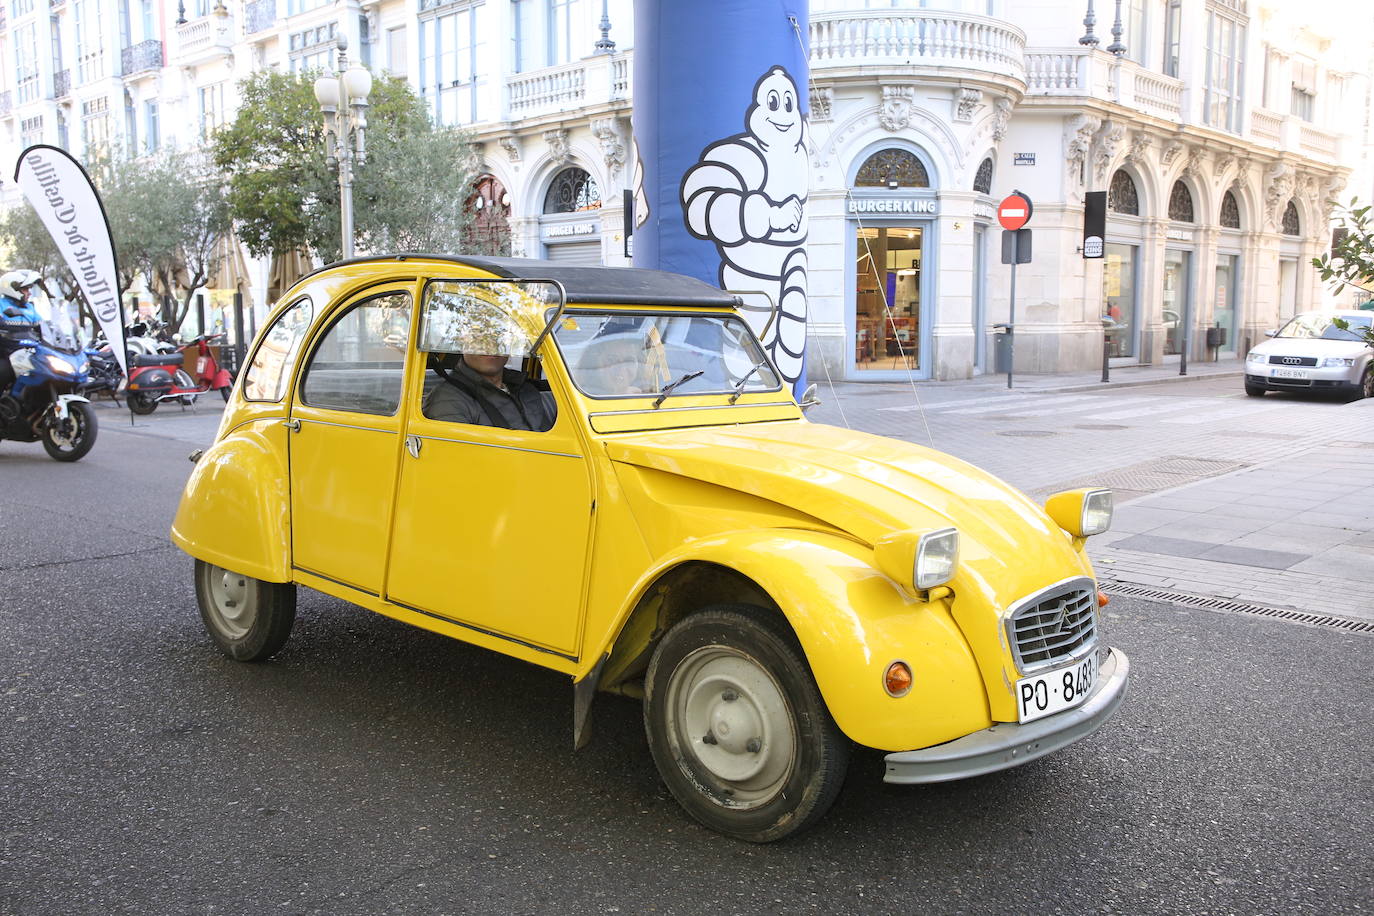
[[612, 286]]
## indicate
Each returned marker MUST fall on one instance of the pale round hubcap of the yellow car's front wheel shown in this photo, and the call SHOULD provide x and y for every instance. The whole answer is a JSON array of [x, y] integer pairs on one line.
[[730, 716]]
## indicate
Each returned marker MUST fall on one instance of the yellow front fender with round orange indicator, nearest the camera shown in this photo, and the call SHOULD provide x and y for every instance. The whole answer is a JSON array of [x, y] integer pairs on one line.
[[853, 621]]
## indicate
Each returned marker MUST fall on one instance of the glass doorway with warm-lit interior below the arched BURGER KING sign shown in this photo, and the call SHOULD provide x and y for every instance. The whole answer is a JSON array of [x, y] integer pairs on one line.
[[888, 297]]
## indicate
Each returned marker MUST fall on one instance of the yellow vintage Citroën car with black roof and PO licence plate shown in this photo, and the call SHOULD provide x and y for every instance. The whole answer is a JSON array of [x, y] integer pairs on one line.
[[600, 472]]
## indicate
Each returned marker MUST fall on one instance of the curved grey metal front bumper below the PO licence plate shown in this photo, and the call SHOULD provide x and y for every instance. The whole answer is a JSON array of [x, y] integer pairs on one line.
[[1009, 745]]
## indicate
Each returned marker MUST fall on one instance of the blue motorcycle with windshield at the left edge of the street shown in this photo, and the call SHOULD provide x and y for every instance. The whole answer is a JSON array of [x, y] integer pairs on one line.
[[45, 403]]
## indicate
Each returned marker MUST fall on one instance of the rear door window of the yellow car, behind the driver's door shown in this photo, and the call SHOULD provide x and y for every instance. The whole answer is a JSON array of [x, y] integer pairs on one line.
[[361, 362]]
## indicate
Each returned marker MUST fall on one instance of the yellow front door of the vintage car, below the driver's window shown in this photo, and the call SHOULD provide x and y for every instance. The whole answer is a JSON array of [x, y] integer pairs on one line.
[[491, 528]]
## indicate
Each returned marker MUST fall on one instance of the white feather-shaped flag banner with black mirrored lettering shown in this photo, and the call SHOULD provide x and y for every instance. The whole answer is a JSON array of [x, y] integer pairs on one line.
[[69, 207]]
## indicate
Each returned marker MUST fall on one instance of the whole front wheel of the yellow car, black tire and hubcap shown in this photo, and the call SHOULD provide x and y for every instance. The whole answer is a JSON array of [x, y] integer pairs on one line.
[[778, 771]]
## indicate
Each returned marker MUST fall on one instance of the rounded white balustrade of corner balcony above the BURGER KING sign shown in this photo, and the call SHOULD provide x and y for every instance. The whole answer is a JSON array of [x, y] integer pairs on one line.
[[923, 38]]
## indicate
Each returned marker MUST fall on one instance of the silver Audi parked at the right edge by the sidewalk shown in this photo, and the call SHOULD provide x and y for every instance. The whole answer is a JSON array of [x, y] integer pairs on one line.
[[1311, 354]]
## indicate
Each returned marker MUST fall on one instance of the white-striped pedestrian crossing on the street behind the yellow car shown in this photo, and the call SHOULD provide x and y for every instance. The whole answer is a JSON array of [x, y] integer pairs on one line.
[[1107, 409]]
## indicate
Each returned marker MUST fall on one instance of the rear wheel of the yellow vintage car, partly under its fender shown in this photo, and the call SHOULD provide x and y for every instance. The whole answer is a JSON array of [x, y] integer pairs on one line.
[[248, 619]]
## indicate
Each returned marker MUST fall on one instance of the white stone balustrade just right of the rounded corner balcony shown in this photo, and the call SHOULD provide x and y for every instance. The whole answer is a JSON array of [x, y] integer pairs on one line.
[[1081, 72]]
